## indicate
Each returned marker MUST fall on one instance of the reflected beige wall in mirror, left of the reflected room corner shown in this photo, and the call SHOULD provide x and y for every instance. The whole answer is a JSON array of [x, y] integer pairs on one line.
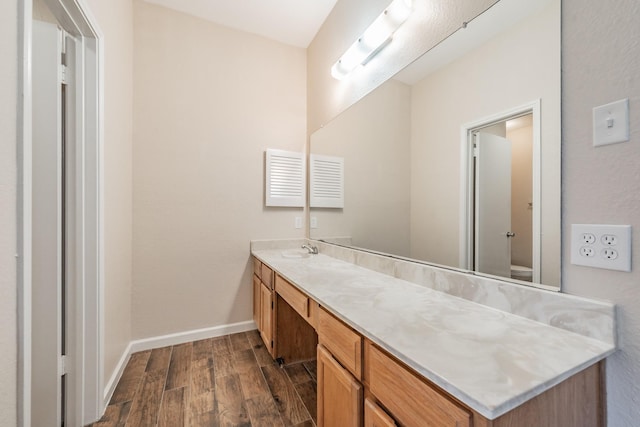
[[373, 137]]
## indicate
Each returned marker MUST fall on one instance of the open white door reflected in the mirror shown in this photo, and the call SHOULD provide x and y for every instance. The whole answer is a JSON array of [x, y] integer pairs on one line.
[[492, 247]]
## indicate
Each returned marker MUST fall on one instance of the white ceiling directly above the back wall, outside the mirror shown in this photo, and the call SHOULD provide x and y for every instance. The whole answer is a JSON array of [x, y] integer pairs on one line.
[[293, 22]]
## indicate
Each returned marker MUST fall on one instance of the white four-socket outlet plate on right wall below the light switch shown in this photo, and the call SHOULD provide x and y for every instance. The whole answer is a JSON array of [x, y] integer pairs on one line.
[[601, 246]]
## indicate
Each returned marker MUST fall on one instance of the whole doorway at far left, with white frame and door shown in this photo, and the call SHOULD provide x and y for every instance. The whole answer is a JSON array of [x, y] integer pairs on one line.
[[60, 214]]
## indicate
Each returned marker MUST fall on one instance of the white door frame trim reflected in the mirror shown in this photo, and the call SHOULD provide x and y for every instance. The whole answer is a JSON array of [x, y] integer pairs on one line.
[[467, 183]]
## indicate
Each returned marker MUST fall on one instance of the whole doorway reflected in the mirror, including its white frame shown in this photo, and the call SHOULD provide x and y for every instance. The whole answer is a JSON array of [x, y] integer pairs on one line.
[[501, 195]]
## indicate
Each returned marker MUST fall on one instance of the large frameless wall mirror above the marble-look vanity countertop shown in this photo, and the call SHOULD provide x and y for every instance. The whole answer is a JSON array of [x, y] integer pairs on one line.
[[456, 160]]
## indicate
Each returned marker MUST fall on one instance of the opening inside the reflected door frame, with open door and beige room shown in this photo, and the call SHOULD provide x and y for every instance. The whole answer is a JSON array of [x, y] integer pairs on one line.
[[503, 194]]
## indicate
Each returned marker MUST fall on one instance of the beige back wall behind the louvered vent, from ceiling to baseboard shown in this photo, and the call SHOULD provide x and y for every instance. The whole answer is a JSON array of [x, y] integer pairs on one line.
[[208, 101]]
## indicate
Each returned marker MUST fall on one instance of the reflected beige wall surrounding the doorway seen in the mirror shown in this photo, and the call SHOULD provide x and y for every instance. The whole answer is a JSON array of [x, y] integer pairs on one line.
[[453, 96]]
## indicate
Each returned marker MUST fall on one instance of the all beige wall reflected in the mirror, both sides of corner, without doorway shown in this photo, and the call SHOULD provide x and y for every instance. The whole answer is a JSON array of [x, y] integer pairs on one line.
[[423, 124]]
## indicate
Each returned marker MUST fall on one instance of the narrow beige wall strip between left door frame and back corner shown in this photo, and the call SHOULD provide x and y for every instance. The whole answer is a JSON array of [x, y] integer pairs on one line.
[[115, 20]]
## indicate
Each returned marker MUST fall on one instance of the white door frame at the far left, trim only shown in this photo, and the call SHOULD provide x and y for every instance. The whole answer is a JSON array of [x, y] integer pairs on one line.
[[75, 18]]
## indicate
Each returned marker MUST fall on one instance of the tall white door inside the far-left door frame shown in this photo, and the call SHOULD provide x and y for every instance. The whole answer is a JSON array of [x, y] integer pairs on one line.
[[52, 196]]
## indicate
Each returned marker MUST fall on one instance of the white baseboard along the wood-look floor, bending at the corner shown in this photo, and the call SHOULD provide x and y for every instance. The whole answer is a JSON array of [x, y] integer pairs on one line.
[[166, 340]]
